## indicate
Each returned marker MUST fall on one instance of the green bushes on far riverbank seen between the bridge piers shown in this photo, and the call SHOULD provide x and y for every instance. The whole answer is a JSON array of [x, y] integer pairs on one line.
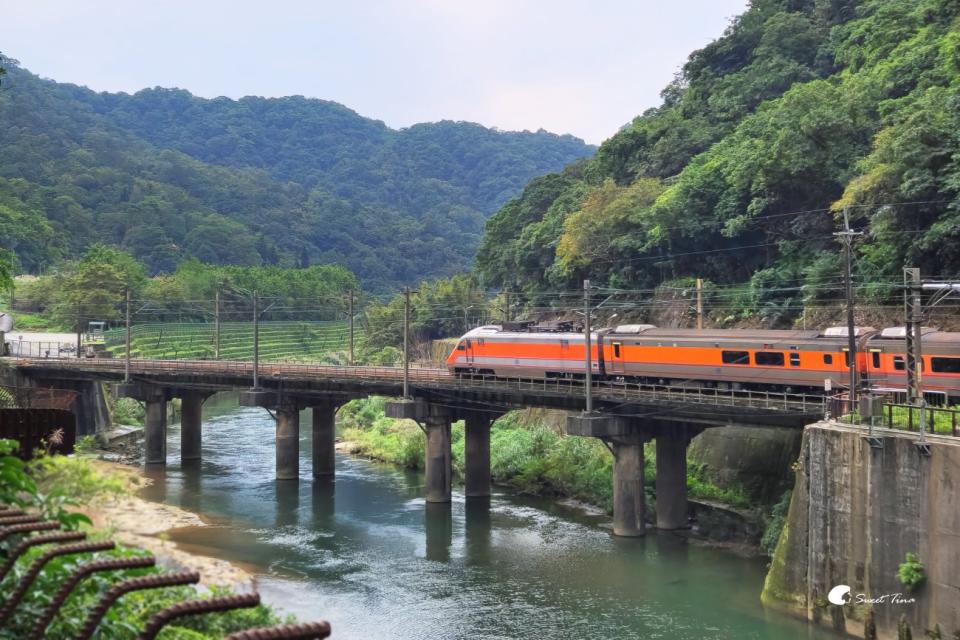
[[527, 455]]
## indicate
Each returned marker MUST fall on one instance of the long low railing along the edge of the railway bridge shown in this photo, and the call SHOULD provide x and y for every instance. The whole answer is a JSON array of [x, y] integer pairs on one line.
[[433, 377]]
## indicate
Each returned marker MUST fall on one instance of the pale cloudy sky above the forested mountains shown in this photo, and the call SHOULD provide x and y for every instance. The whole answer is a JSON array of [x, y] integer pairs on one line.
[[567, 66]]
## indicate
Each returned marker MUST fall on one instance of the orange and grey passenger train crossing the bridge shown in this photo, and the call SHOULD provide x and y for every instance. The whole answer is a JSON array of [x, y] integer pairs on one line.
[[772, 360]]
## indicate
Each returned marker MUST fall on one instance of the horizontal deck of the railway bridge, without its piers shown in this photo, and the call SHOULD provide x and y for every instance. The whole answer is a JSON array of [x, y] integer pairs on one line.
[[710, 405]]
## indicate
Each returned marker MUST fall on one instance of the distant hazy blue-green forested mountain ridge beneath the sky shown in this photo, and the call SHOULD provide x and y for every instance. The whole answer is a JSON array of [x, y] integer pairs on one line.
[[290, 181]]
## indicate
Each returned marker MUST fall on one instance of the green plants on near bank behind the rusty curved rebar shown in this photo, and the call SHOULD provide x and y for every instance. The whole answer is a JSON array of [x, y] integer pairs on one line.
[[54, 487]]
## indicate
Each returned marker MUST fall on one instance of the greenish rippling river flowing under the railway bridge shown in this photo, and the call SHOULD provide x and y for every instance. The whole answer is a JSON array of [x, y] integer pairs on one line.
[[366, 553]]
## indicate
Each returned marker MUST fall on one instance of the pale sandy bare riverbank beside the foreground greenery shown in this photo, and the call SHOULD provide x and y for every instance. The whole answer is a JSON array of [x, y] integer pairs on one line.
[[135, 521]]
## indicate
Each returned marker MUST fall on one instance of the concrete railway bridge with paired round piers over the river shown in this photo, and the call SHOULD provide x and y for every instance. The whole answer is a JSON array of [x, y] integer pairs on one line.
[[625, 416]]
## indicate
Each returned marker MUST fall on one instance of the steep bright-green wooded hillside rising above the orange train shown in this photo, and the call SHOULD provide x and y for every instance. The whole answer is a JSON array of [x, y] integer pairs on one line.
[[802, 108]]
